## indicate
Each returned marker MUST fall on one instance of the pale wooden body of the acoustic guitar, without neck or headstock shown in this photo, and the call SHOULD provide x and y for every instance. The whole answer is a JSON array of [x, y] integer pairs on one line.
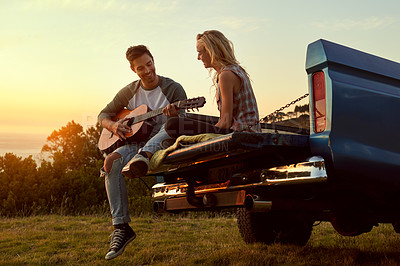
[[108, 142]]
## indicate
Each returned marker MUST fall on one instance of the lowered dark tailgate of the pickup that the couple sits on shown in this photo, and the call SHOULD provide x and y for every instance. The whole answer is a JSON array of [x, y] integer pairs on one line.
[[237, 151]]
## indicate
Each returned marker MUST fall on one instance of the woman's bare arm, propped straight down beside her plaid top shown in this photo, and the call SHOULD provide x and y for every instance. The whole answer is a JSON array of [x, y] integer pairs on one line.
[[229, 85]]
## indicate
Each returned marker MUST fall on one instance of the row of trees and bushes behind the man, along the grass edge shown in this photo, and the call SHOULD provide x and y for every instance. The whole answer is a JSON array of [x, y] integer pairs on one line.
[[68, 182]]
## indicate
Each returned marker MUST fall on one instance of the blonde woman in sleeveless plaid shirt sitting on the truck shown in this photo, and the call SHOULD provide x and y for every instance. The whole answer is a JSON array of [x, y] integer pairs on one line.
[[235, 97]]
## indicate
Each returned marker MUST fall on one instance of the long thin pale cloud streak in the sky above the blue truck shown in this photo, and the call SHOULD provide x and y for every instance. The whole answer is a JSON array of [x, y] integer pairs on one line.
[[350, 24]]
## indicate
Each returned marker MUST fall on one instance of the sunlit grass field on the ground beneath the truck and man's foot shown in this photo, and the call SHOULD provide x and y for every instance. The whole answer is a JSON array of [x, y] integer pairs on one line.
[[182, 240]]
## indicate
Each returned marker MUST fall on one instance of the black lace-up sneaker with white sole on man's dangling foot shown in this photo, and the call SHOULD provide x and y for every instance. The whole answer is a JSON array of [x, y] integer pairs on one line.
[[120, 238]]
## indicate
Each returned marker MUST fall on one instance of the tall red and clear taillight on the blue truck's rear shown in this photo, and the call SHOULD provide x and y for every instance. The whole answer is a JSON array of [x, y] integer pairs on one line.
[[319, 101]]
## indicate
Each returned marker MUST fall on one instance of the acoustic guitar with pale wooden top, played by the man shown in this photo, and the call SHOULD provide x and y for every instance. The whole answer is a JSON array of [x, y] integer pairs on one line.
[[141, 123]]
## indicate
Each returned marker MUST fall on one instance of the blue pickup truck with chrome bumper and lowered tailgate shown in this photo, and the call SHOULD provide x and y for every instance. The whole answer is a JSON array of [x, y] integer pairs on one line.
[[344, 168]]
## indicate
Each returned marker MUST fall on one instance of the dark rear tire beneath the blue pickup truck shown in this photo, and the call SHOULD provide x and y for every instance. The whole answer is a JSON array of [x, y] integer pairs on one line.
[[272, 228]]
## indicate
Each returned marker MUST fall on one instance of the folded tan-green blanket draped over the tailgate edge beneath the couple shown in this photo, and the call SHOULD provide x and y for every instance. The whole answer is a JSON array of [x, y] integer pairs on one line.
[[158, 157]]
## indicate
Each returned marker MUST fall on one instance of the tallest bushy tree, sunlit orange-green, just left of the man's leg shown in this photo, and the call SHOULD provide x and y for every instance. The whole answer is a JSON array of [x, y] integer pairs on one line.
[[75, 168]]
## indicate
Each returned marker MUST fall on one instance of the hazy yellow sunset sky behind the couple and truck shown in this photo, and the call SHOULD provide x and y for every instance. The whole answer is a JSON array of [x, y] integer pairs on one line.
[[63, 60]]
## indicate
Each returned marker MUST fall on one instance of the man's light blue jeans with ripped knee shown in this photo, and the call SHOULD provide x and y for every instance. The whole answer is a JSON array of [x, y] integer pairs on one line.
[[115, 183]]
